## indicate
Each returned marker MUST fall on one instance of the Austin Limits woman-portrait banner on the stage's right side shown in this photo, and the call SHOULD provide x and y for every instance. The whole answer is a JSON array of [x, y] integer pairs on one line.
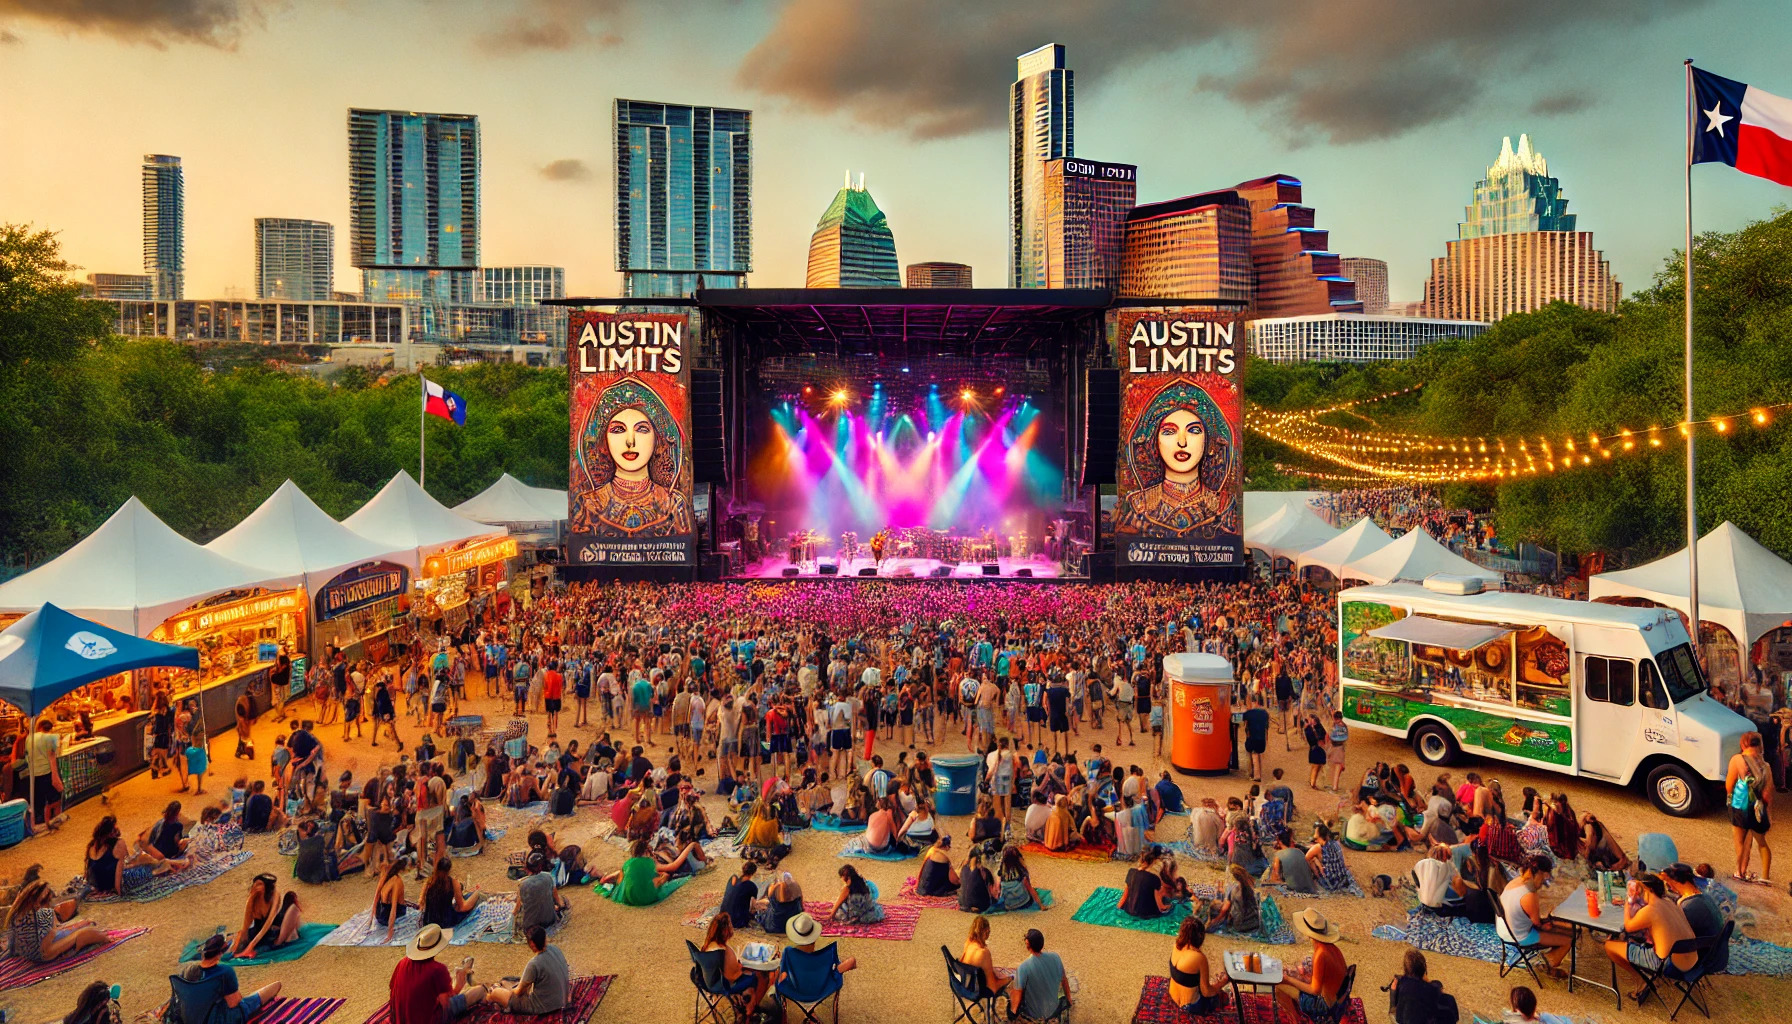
[[1180, 471]]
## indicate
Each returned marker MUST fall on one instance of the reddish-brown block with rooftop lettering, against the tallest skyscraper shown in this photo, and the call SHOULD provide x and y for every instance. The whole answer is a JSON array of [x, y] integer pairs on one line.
[[1085, 209]]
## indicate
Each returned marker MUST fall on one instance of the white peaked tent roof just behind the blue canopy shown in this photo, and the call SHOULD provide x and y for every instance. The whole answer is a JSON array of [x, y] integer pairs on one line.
[[134, 573]]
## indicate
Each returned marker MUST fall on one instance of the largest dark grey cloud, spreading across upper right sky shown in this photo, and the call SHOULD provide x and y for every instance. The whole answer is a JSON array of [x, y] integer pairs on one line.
[[1316, 71]]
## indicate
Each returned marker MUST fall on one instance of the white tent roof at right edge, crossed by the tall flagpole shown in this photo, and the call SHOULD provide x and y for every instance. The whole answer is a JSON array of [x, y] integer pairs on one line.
[[1743, 586]]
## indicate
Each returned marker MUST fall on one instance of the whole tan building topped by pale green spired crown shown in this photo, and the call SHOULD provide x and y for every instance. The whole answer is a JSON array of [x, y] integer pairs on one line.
[[1517, 248]]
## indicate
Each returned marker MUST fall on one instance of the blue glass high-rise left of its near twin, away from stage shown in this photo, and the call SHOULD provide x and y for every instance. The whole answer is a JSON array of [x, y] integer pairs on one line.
[[413, 204]]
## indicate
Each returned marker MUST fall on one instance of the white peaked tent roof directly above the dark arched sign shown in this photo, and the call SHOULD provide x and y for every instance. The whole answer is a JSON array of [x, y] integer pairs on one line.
[[291, 535]]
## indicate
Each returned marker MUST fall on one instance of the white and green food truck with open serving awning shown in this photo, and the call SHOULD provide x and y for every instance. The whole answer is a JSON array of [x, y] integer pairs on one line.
[[1585, 690]]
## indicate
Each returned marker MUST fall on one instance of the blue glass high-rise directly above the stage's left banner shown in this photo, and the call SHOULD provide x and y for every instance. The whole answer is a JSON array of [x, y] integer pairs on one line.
[[684, 198]]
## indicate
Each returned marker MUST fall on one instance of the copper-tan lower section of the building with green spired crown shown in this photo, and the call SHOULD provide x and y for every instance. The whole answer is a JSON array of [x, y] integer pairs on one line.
[[1521, 272]]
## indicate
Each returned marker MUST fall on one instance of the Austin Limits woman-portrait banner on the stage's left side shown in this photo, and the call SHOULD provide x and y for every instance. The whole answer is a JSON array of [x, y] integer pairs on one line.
[[632, 474]]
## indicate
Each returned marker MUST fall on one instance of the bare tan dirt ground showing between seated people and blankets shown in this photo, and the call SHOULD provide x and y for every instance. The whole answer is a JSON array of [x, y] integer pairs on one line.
[[895, 982]]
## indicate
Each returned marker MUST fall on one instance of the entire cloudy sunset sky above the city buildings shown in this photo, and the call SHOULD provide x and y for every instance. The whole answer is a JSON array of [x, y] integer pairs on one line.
[[1388, 110]]
